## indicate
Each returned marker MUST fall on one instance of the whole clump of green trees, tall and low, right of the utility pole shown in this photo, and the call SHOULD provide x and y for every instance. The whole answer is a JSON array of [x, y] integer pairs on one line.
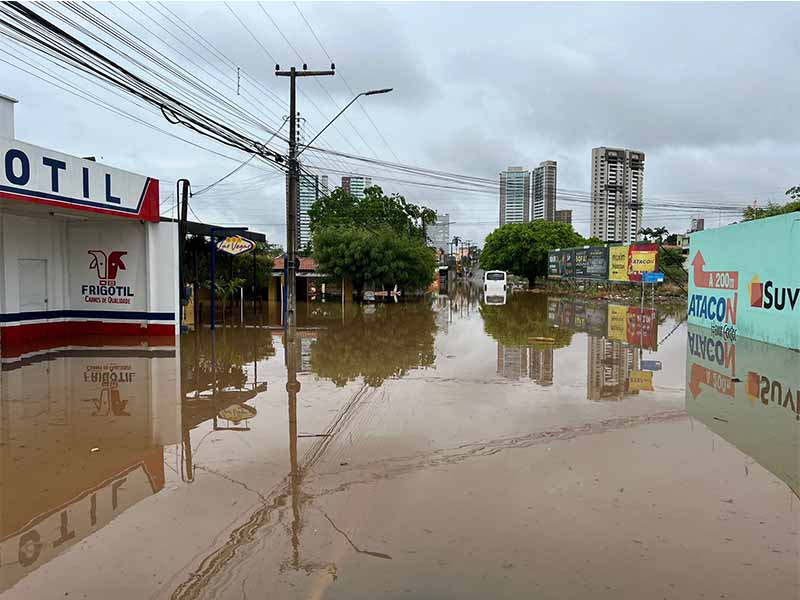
[[376, 240]]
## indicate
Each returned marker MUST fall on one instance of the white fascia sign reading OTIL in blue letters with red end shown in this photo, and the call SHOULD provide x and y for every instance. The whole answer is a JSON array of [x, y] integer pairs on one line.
[[32, 174]]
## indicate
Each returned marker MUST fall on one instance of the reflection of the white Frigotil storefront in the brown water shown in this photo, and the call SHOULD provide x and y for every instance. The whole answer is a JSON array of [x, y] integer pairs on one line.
[[83, 432]]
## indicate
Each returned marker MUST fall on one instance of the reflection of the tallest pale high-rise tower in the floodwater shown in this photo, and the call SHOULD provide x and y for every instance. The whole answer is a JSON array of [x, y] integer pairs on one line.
[[609, 366]]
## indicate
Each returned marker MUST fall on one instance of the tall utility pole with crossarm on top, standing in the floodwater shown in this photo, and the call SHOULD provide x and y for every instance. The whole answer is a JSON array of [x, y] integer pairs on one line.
[[292, 190]]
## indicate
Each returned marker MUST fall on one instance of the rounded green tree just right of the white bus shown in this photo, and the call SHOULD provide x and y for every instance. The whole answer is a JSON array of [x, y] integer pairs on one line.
[[521, 248]]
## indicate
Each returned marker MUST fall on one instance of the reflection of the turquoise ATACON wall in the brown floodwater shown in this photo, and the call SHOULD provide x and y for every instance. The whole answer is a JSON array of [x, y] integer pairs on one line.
[[748, 392]]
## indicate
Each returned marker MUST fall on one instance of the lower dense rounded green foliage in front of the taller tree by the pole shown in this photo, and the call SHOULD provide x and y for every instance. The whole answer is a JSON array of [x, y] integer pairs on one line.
[[377, 256]]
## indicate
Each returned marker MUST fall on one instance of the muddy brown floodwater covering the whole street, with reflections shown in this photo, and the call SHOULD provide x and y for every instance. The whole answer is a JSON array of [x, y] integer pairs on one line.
[[465, 447]]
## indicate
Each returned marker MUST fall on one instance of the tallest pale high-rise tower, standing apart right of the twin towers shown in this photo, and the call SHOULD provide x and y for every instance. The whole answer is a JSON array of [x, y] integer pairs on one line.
[[617, 193]]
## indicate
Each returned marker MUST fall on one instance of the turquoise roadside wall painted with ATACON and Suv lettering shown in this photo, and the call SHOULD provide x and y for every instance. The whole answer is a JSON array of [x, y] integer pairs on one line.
[[744, 280]]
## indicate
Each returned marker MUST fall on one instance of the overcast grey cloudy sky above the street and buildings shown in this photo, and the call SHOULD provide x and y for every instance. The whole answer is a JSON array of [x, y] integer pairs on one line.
[[708, 91]]
